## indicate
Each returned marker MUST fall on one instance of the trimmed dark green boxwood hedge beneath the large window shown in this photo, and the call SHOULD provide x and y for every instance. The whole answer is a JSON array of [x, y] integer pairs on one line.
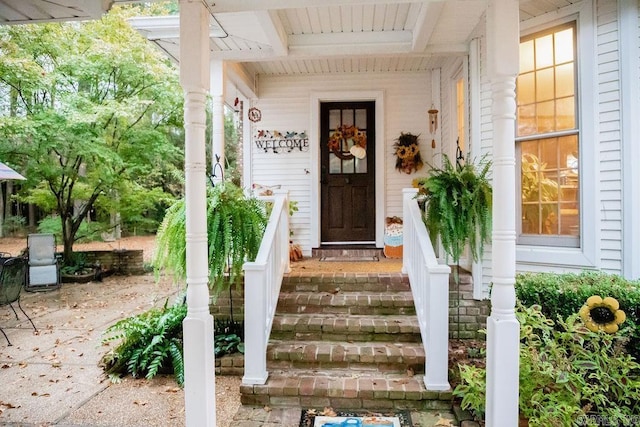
[[563, 295]]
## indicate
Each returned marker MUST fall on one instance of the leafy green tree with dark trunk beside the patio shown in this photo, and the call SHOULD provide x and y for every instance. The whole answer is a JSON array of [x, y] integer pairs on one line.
[[93, 115]]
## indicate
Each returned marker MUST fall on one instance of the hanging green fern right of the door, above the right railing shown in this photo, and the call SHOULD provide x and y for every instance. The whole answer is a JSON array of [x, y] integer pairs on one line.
[[459, 207]]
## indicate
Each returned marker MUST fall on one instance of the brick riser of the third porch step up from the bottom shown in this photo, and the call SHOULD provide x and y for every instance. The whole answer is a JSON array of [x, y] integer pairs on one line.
[[346, 337]]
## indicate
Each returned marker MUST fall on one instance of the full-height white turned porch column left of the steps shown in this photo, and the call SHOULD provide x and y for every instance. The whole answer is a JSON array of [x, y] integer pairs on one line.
[[199, 366]]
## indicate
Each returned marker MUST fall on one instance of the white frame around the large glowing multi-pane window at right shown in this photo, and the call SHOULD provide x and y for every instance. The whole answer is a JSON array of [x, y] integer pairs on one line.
[[583, 256]]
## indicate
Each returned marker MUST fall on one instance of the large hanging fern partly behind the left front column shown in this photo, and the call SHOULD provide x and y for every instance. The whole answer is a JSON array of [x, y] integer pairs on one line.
[[235, 226]]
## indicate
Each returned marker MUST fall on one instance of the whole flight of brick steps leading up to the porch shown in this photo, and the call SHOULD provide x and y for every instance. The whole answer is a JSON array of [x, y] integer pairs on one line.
[[349, 341]]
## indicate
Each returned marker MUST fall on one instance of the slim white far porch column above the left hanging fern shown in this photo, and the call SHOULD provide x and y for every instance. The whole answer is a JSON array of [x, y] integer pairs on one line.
[[217, 117]]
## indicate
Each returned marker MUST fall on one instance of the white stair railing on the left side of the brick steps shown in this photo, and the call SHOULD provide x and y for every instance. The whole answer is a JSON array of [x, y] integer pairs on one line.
[[262, 281]]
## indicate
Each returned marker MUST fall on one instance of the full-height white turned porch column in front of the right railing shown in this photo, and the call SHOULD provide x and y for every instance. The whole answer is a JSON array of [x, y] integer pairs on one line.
[[503, 329]]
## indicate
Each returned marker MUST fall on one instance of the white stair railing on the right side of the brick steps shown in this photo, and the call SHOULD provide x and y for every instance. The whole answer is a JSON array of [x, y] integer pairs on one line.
[[430, 288]]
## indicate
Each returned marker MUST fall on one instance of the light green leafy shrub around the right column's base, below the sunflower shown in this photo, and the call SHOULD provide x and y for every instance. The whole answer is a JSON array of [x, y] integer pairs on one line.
[[566, 372]]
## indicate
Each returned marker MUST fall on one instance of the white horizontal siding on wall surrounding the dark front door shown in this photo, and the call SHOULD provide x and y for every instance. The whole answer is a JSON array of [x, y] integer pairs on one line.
[[285, 105]]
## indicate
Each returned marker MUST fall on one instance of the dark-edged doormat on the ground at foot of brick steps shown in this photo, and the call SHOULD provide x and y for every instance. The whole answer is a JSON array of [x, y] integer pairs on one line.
[[316, 418]]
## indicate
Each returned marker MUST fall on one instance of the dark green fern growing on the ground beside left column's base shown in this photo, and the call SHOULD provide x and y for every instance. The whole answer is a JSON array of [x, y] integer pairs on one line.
[[149, 343]]
